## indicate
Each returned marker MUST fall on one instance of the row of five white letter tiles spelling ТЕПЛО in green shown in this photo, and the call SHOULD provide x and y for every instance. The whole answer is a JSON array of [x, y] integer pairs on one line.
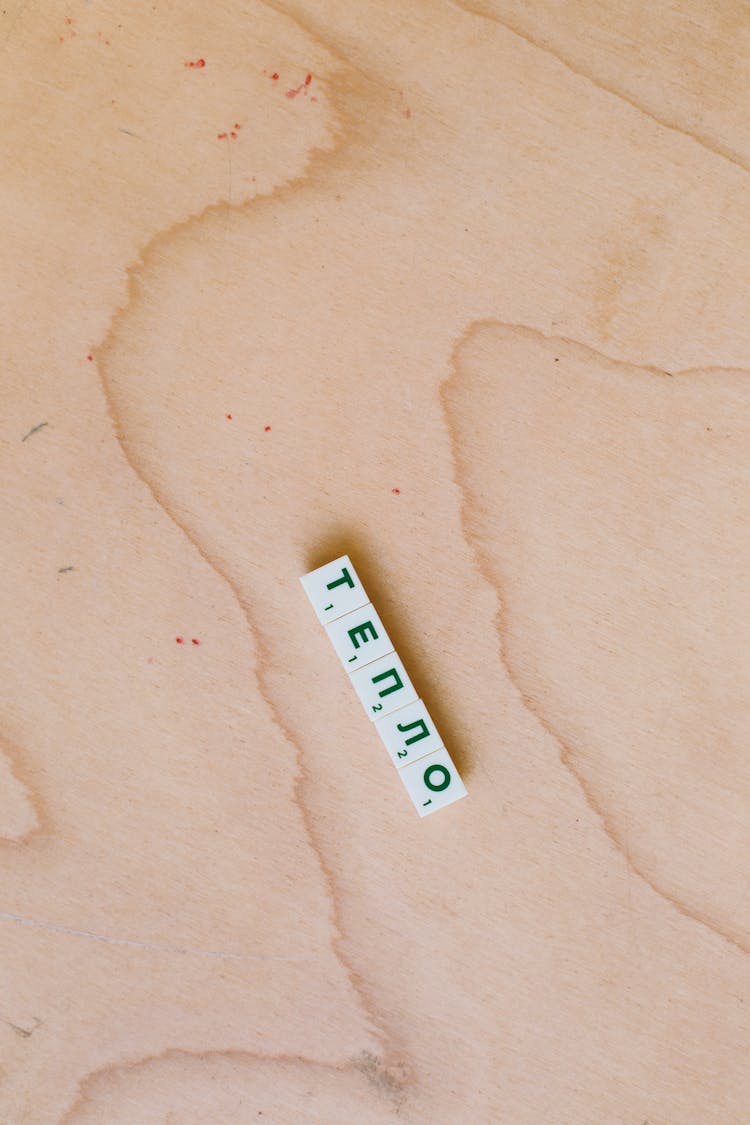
[[384, 687]]
